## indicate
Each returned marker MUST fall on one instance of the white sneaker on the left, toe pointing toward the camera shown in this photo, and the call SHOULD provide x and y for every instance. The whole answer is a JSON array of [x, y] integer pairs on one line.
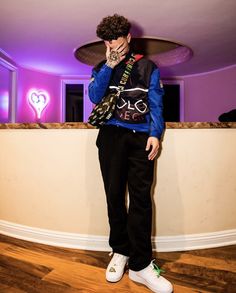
[[116, 267]]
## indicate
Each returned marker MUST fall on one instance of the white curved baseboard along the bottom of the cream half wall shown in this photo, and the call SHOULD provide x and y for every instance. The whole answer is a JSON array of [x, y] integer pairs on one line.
[[100, 243]]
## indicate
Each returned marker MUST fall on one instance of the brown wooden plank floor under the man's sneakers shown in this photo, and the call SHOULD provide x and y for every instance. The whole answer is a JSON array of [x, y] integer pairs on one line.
[[36, 268]]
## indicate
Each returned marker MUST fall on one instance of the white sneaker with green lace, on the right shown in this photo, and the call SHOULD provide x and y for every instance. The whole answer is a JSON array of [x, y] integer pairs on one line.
[[150, 277]]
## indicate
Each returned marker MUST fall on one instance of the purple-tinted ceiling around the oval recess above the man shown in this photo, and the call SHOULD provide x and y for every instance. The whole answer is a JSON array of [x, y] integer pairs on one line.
[[43, 34]]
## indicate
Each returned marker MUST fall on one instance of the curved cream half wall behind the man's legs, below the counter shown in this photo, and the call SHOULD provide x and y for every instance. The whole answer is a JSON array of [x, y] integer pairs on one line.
[[50, 179]]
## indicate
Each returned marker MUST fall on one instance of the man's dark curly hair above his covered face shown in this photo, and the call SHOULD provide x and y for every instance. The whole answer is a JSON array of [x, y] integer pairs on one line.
[[113, 27]]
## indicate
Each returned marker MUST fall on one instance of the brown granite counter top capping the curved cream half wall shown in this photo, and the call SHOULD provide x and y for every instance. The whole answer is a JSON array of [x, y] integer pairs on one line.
[[81, 125]]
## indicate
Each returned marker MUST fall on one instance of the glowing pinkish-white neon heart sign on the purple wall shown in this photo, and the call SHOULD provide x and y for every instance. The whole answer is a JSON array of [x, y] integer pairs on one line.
[[38, 101]]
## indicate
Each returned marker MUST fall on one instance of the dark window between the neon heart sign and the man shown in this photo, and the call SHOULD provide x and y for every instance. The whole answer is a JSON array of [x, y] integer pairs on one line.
[[74, 102]]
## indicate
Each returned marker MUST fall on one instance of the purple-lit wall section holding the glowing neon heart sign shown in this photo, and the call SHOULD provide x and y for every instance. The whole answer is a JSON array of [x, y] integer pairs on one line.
[[39, 97]]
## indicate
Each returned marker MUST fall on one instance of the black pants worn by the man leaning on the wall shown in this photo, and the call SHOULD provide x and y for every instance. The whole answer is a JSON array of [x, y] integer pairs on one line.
[[123, 159]]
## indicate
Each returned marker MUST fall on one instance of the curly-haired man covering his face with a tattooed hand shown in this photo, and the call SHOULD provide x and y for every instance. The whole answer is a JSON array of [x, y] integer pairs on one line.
[[127, 145]]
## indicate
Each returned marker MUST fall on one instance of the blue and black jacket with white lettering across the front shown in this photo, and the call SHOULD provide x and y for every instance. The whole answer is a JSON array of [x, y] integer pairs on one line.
[[140, 104]]
